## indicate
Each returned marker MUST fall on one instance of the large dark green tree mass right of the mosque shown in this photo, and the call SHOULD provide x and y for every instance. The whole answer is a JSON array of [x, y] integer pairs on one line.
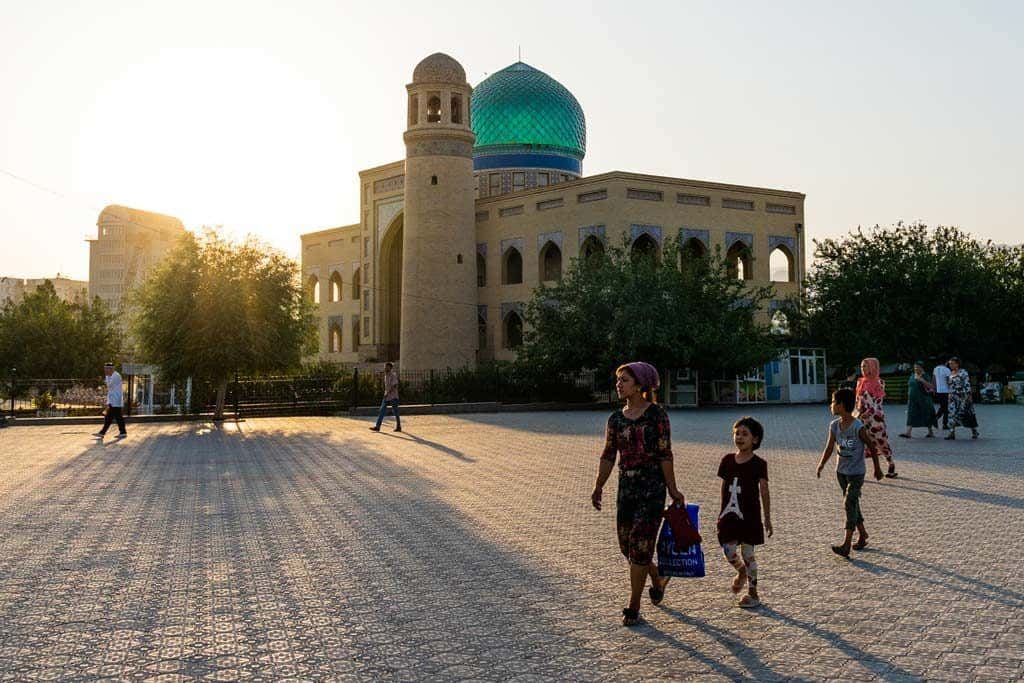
[[906, 292]]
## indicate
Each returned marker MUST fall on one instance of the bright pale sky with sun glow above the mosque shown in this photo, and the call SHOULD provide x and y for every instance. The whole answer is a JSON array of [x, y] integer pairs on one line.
[[259, 116]]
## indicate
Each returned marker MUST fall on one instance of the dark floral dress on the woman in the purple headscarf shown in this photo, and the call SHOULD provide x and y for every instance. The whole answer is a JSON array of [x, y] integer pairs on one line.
[[643, 445]]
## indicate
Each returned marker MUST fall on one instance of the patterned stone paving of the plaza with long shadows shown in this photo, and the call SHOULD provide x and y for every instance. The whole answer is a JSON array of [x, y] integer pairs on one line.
[[466, 549]]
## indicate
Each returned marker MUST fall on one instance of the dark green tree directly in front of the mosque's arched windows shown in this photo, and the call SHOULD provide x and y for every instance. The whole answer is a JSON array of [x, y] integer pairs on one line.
[[614, 308]]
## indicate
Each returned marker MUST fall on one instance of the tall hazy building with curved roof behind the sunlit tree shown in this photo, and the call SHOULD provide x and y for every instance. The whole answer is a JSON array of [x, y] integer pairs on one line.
[[129, 243]]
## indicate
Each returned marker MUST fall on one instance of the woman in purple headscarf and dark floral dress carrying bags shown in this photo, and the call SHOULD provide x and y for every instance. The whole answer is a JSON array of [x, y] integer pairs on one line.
[[642, 436]]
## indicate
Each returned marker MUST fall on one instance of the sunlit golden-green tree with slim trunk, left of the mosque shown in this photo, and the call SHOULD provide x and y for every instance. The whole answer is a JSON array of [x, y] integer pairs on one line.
[[214, 309]]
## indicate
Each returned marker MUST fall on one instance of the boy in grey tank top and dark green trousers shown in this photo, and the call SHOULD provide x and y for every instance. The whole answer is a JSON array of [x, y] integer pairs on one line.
[[855, 442]]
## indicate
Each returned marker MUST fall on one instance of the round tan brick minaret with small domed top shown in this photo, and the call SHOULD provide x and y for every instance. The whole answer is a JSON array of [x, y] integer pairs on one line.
[[439, 270]]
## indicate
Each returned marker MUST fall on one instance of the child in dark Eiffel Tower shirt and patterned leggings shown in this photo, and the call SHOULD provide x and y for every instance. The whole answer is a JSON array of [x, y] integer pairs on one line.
[[745, 490]]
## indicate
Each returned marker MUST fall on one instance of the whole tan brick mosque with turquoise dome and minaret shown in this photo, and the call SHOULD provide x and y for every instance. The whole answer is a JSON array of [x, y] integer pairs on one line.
[[492, 202]]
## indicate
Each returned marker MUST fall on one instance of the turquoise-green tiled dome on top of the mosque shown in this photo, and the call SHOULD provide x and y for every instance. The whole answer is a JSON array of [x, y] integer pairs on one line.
[[524, 109]]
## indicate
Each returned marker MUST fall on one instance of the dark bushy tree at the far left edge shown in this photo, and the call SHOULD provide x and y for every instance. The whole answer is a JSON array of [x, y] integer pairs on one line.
[[46, 337]]
